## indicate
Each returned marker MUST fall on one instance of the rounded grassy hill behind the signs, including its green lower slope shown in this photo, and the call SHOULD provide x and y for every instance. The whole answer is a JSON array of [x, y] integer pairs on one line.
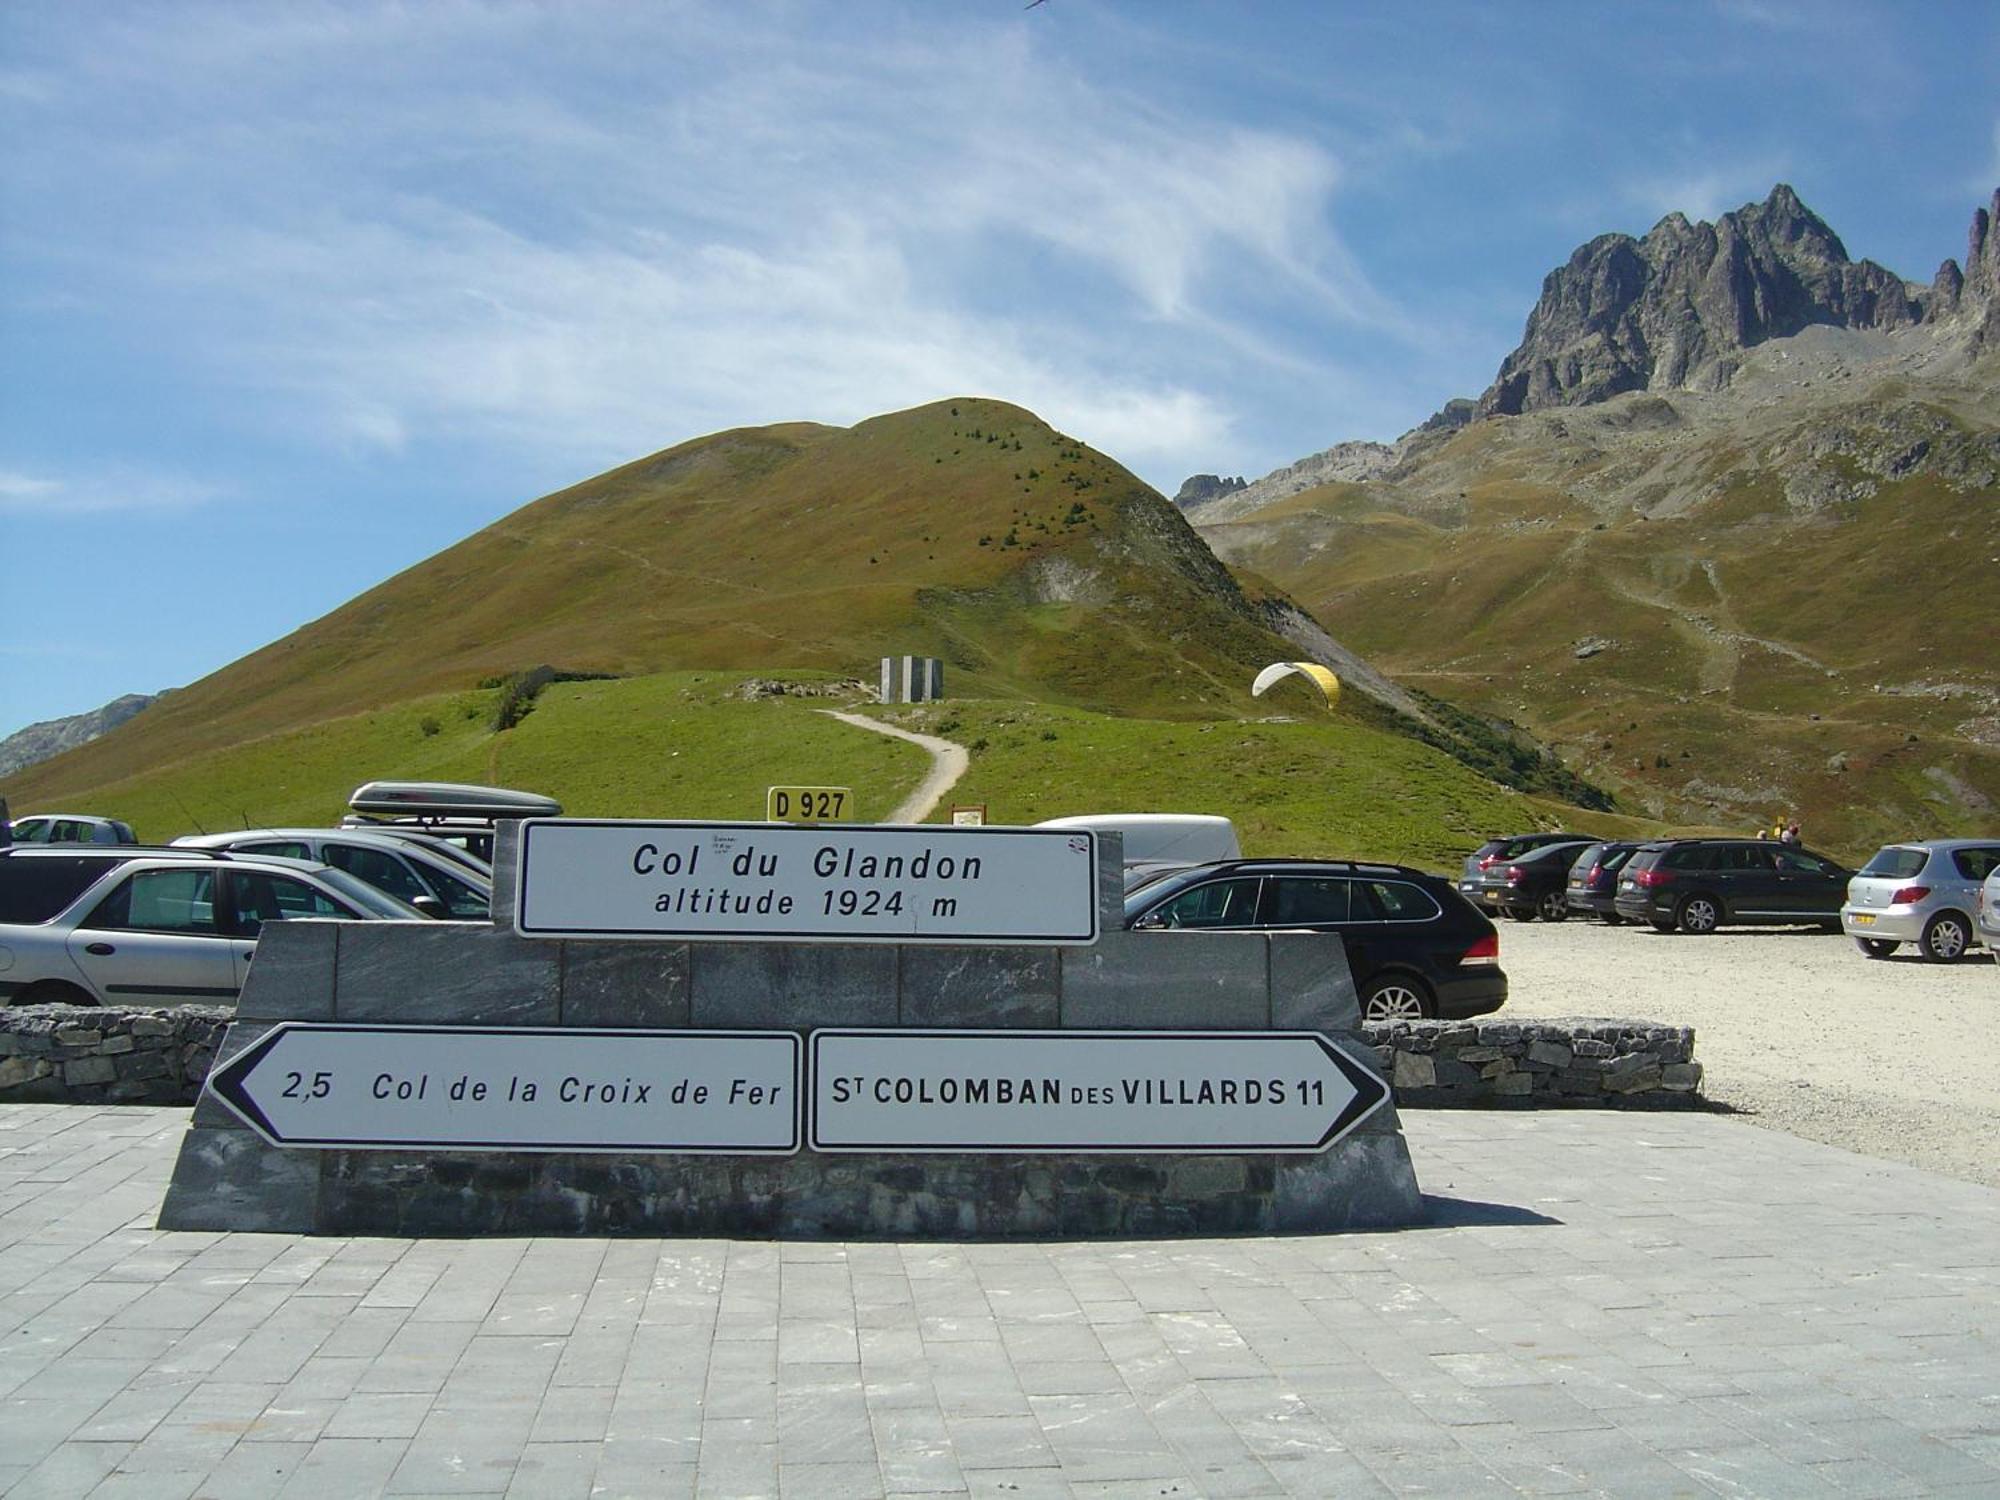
[[1059, 589]]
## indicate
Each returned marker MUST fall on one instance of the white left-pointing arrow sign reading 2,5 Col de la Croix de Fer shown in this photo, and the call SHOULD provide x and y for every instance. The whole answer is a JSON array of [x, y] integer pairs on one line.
[[519, 1089]]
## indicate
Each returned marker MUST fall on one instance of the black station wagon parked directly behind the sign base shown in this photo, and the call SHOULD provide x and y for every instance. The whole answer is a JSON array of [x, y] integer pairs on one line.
[[1415, 945]]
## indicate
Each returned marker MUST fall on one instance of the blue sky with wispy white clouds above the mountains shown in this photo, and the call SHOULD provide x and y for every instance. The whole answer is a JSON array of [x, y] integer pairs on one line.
[[297, 295]]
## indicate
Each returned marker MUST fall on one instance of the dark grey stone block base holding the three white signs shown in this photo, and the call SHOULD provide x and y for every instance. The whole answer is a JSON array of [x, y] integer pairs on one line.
[[483, 977]]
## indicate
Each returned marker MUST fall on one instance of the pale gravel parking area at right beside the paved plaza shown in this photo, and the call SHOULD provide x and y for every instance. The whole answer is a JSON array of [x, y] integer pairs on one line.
[[1797, 1029]]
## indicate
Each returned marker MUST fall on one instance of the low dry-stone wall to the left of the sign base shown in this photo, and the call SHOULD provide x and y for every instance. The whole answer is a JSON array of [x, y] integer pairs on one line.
[[83, 1055]]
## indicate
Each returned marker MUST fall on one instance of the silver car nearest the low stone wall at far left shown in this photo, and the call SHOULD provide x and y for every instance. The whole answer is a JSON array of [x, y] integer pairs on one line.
[[155, 927]]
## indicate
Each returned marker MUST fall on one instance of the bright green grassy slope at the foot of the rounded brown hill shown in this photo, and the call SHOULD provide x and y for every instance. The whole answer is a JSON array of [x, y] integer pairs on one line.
[[689, 745]]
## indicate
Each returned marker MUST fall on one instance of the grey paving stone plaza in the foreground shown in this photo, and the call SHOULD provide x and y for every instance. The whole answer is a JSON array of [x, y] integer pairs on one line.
[[1605, 1305]]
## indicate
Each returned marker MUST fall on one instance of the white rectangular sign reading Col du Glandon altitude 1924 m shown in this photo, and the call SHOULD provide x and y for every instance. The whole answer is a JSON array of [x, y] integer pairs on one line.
[[603, 879]]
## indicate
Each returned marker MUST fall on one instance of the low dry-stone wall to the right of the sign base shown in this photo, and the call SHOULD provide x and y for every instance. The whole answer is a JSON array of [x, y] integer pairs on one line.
[[1575, 1063]]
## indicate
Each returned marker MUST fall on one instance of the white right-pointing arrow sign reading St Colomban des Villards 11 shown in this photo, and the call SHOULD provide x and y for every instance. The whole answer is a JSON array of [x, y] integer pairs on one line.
[[933, 1091]]
